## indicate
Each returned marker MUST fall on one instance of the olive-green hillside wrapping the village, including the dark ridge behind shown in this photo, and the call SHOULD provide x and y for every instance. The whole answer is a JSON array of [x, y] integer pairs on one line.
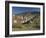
[[35, 25]]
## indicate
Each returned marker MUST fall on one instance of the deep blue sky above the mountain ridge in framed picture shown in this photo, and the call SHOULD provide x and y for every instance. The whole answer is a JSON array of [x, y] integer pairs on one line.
[[17, 10]]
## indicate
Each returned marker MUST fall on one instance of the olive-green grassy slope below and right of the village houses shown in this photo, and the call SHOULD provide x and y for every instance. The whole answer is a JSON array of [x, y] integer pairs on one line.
[[35, 25]]
